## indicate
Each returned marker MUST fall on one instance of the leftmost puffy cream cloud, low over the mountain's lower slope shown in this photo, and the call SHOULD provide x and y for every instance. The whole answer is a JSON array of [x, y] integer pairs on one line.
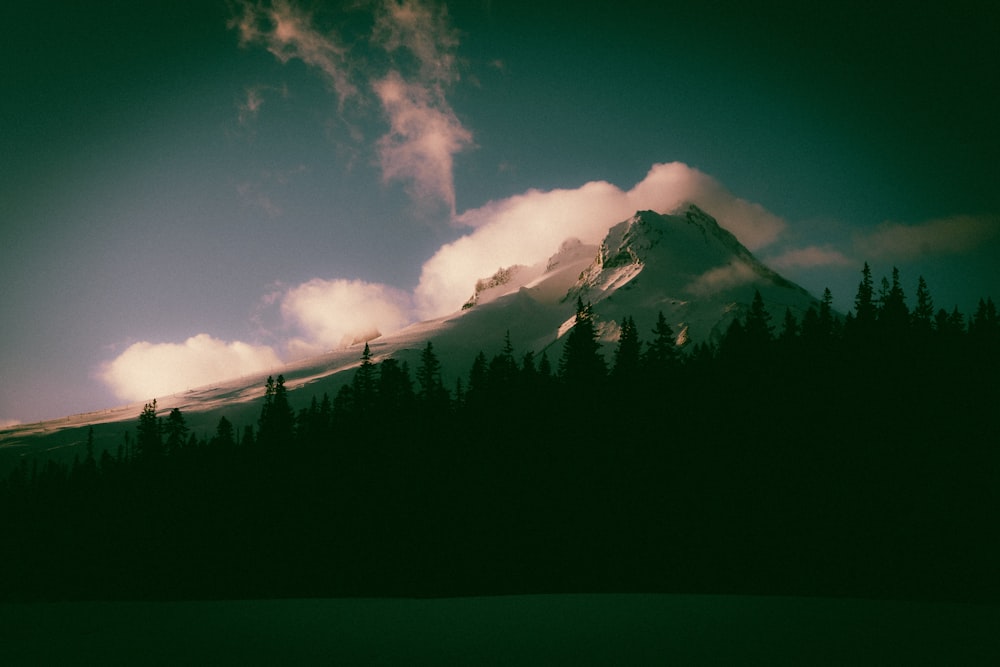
[[149, 370]]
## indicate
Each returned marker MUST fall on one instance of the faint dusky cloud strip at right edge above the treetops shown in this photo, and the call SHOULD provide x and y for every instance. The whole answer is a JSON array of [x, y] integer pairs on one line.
[[942, 236]]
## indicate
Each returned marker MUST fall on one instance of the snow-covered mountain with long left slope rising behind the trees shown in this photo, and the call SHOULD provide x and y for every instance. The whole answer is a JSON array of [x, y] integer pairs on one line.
[[682, 263]]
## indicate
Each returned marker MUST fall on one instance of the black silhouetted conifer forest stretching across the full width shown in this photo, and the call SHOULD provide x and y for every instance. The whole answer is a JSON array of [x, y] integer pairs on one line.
[[845, 456]]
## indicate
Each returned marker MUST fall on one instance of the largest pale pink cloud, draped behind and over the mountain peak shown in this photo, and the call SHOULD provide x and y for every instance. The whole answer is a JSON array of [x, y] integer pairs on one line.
[[528, 228]]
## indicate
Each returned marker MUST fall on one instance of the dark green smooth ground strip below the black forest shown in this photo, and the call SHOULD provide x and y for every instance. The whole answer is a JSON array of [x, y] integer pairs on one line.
[[514, 630]]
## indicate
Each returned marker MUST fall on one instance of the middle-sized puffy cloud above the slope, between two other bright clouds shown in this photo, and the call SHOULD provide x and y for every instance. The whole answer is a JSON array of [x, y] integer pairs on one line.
[[334, 313]]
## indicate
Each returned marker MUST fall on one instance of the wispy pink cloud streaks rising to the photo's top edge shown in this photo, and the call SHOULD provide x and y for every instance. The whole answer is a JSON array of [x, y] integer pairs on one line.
[[410, 87]]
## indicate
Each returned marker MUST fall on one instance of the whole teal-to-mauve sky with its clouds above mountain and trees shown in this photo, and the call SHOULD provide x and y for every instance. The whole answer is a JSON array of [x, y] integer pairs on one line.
[[195, 189]]
